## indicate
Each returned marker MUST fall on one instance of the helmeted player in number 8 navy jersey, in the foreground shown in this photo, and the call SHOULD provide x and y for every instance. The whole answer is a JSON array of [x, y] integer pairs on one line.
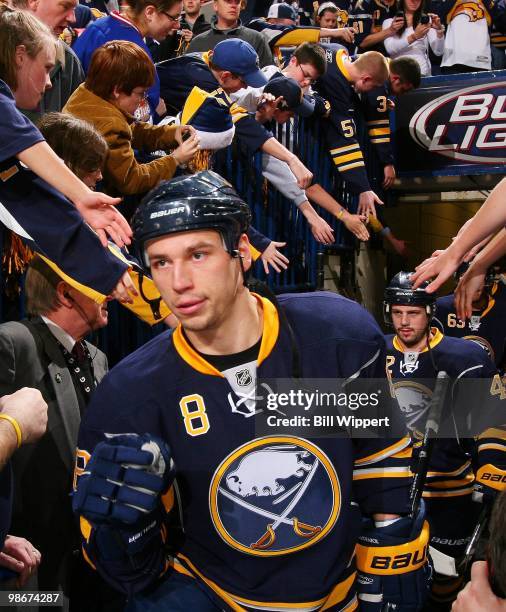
[[260, 514]]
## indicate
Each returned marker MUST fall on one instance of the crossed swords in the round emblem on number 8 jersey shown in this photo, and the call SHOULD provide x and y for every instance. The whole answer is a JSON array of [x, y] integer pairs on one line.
[[303, 530]]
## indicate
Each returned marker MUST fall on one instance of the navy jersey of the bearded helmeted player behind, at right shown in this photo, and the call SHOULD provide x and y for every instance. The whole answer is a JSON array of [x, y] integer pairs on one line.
[[455, 463]]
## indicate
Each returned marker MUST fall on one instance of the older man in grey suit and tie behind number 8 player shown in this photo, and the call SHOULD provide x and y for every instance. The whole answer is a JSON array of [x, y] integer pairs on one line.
[[47, 352]]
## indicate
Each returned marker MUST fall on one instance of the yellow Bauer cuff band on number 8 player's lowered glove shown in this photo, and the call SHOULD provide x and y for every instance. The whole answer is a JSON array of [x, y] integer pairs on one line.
[[394, 559]]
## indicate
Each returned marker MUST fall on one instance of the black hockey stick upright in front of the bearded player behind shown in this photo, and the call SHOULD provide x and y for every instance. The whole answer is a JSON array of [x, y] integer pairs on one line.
[[431, 430]]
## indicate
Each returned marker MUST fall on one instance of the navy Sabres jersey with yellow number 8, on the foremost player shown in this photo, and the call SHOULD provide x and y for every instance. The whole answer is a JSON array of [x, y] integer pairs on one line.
[[260, 513]]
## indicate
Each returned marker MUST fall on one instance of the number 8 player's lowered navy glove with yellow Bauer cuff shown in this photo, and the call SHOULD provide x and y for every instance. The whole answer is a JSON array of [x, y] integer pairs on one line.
[[393, 566]]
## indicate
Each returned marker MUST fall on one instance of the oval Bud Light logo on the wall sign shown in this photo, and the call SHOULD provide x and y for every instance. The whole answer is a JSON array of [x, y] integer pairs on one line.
[[467, 124]]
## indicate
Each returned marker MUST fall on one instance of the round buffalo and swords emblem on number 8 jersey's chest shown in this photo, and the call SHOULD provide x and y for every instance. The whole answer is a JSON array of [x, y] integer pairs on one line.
[[274, 496]]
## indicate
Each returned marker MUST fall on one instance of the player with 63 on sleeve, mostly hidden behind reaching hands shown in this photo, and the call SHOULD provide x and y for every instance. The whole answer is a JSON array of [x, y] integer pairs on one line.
[[486, 325]]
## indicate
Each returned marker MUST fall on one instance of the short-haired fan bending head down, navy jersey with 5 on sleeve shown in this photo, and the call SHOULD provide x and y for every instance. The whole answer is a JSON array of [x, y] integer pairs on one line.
[[342, 77]]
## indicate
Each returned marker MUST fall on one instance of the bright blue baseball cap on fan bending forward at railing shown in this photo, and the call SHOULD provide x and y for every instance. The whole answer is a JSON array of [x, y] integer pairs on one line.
[[239, 57]]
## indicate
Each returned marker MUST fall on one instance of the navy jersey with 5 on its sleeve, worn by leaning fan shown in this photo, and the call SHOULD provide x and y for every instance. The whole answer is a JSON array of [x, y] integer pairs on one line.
[[340, 130]]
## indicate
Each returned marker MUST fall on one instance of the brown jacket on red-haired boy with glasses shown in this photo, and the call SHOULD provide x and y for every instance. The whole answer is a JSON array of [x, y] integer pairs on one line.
[[123, 134]]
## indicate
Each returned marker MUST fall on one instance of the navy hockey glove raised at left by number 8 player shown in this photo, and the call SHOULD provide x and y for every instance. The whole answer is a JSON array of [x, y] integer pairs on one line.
[[123, 479]]
